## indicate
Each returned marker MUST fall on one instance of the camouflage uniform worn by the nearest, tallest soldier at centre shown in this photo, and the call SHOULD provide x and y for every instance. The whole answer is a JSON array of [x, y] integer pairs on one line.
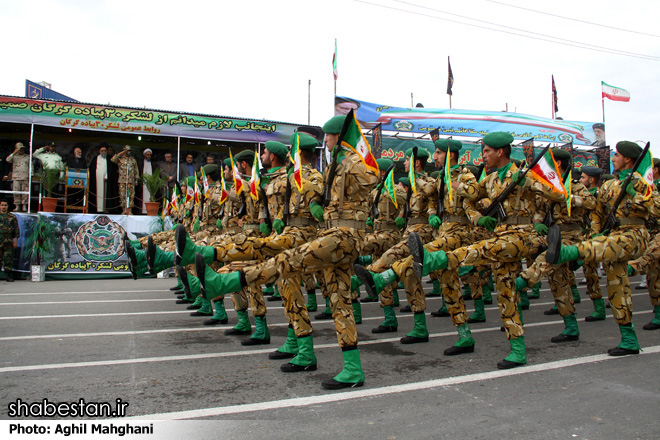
[[335, 249]]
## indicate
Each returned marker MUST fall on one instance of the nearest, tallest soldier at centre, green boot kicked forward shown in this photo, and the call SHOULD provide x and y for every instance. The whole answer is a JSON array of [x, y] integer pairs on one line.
[[333, 251]]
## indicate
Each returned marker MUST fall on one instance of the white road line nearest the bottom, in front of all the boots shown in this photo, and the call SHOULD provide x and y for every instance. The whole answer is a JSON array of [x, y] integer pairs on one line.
[[382, 391]]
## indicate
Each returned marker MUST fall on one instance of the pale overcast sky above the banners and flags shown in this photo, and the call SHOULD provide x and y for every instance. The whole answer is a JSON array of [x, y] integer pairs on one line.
[[254, 59]]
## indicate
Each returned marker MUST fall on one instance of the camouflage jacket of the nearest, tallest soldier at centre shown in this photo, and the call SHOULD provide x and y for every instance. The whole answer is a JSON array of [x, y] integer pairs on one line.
[[349, 195]]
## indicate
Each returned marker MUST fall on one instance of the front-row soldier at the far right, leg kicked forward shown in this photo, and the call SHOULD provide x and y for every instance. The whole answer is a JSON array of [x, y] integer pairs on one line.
[[626, 241]]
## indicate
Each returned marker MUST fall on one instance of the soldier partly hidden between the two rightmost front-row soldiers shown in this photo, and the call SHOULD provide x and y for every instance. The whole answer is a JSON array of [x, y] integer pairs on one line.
[[571, 226]]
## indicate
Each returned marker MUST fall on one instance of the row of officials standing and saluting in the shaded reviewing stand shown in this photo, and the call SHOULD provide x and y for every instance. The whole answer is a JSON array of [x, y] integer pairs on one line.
[[114, 174]]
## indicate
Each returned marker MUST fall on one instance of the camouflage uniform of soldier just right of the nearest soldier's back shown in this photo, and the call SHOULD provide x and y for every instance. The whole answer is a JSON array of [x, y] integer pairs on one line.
[[421, 206]]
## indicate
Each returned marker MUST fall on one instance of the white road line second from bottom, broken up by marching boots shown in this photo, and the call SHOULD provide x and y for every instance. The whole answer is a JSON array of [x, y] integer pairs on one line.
[[232, 353]]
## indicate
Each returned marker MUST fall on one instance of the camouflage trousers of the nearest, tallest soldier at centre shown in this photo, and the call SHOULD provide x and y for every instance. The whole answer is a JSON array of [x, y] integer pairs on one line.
[[333, 251]]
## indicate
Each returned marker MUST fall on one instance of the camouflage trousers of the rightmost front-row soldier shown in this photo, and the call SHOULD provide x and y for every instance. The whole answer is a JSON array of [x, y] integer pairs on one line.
[[614, 251]]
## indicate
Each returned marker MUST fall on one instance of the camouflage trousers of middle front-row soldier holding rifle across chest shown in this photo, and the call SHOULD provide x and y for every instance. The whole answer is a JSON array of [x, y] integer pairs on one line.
[[504, 252]]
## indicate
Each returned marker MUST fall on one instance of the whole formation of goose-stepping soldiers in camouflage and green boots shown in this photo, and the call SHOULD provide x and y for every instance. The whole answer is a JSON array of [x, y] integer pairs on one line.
[[272, 227]]
